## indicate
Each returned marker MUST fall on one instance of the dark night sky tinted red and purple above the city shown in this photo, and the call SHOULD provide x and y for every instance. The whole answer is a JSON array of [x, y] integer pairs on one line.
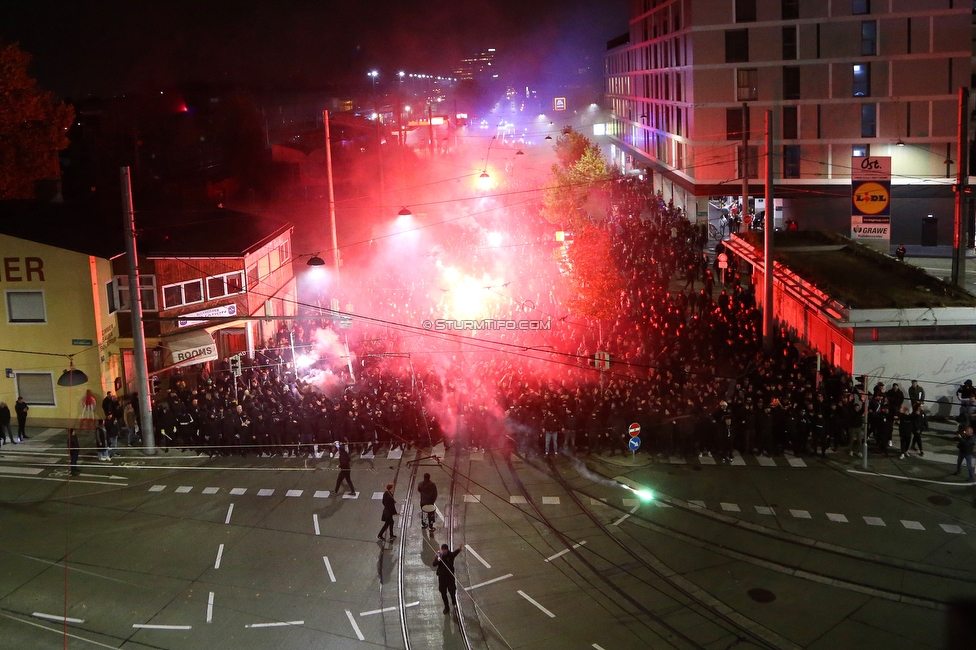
[[106, 47]]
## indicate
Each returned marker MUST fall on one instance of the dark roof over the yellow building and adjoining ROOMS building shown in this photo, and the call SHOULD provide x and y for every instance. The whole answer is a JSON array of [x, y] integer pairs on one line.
[[93, 229]]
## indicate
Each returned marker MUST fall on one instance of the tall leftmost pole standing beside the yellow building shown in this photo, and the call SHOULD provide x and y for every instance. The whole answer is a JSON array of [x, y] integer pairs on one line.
[[138, 334]]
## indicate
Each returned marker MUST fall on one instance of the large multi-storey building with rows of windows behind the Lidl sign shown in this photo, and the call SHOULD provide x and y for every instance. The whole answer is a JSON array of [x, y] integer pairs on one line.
[[843, 78]]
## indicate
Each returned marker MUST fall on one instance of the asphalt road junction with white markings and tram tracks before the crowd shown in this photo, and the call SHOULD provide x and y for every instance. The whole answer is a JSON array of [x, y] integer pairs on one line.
[[176, 551]]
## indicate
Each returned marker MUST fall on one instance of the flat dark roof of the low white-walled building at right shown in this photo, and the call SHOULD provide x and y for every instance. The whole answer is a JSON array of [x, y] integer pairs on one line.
[[859, 276]]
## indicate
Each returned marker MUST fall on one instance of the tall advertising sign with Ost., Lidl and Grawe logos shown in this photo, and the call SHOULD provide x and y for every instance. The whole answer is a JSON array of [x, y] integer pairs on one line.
[[871, 200]]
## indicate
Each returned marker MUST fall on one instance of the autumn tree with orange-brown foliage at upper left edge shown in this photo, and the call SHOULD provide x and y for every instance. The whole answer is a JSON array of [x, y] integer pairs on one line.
[[33, 127]]
